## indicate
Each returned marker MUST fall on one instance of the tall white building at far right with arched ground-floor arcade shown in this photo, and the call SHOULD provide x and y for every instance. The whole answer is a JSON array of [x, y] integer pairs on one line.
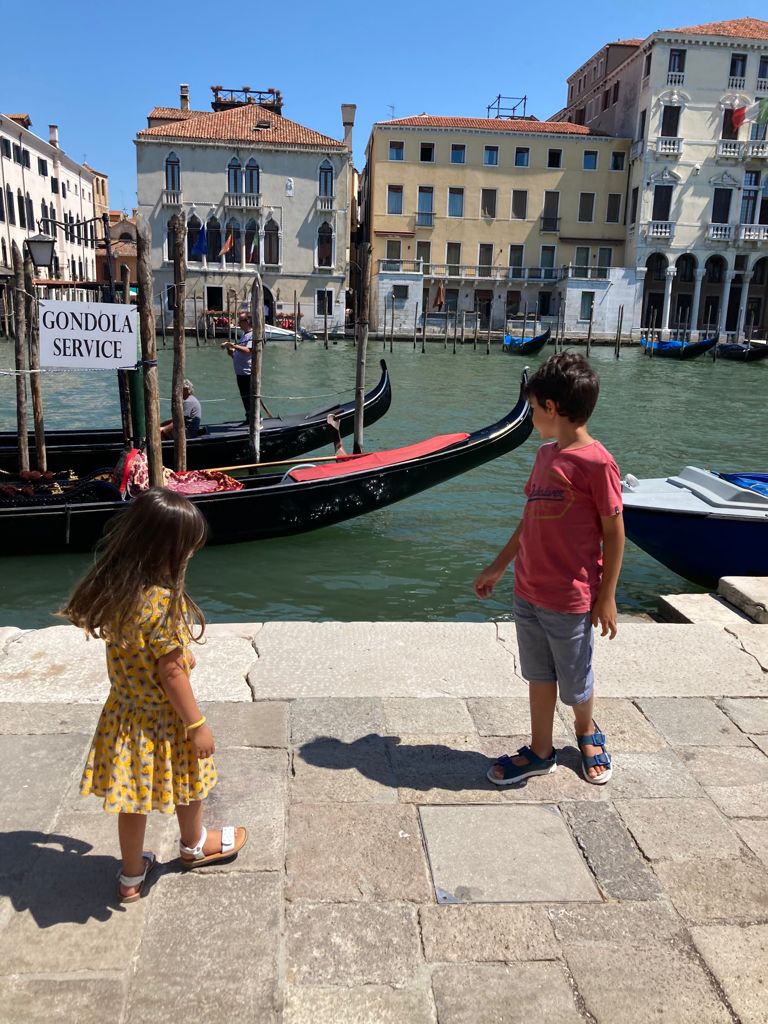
[[698, 210]]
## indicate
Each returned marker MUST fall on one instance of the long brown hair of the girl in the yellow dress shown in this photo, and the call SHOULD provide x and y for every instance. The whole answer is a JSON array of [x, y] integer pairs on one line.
[[149, 544]]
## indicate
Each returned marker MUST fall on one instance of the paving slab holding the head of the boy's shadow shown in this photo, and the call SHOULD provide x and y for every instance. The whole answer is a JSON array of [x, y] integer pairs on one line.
[[332, 771]]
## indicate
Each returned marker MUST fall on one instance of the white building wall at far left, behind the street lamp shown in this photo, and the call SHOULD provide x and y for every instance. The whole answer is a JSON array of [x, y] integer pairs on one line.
[[40, 183]]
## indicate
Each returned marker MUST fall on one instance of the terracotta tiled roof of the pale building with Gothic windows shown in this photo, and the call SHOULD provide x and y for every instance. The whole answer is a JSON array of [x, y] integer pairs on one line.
[[240, 125]]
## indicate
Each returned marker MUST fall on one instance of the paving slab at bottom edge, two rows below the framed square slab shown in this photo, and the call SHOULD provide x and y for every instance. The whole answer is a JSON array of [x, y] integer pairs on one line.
[[516, 994]]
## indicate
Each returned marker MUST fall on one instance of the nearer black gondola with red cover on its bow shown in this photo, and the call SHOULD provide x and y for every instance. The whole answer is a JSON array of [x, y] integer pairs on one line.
[[296, 499]]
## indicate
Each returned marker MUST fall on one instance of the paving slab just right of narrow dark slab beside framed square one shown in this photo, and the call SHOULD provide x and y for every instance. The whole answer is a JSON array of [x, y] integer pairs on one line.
[[679, 830]]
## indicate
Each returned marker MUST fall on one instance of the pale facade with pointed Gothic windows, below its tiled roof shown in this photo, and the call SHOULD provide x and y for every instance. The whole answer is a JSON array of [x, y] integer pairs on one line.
[[291, 228]]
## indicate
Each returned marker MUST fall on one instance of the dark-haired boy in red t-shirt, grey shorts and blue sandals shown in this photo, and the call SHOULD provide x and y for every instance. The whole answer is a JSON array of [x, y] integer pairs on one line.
[[568, 551]]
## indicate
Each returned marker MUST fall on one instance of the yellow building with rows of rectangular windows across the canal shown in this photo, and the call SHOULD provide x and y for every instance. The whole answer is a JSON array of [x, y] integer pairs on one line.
[[493, 217]]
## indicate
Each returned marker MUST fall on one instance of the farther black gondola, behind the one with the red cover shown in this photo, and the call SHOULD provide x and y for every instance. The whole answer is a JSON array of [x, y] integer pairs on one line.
[[222, 445]]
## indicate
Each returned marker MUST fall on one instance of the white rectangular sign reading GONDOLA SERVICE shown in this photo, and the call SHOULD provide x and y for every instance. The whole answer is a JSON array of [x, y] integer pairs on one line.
[[89, 335]]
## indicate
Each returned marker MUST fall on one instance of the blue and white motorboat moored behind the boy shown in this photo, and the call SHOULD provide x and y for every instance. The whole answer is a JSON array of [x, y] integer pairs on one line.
[[701, 525]]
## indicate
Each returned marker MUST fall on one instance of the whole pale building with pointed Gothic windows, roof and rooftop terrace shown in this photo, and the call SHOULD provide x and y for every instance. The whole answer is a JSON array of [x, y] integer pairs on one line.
[[270, 194]]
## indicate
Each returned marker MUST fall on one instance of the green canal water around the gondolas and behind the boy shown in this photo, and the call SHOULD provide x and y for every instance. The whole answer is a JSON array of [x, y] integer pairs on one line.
[[417, 560]]
